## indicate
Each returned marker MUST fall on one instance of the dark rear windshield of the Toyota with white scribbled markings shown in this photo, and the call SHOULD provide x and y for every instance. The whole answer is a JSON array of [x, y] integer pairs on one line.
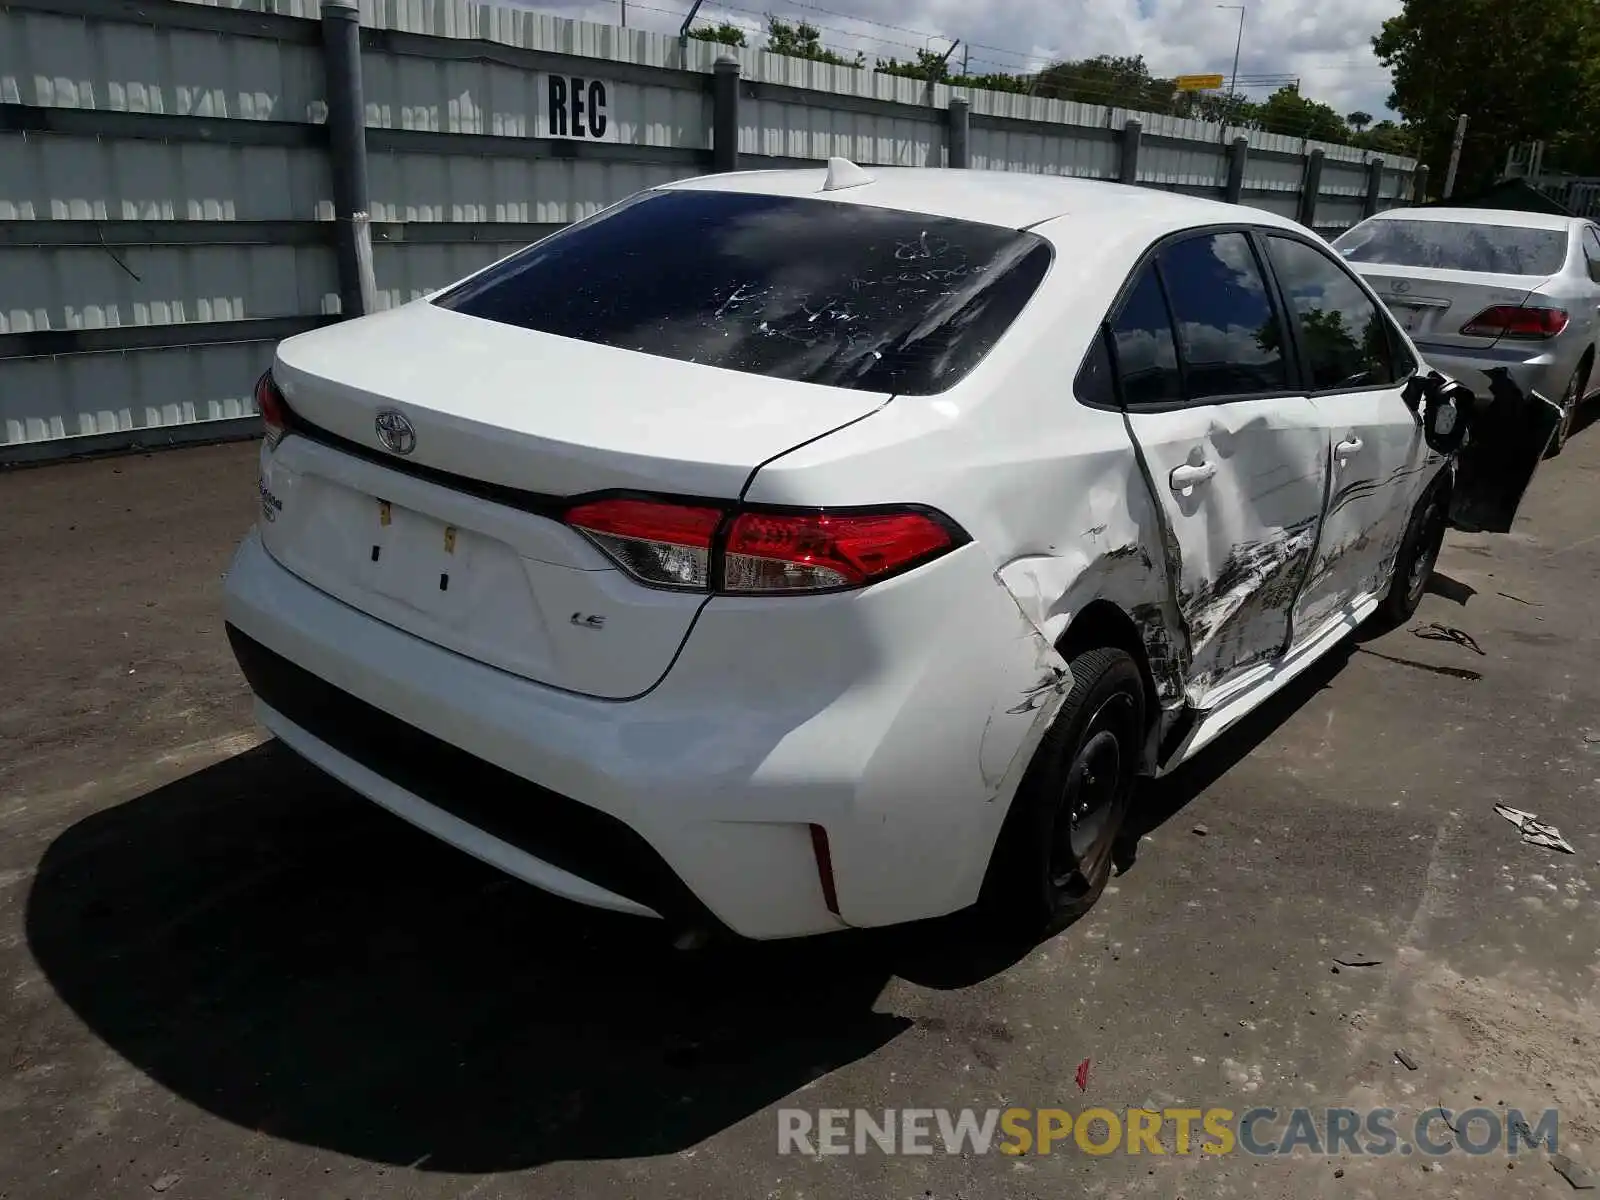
[[793, 289]]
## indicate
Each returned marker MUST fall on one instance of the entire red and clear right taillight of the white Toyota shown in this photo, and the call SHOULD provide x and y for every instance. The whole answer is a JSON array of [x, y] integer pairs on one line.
[[753, 553]]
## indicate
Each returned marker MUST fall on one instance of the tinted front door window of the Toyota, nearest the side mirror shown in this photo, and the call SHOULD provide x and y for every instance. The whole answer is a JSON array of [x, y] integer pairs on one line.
[[1345, 335]]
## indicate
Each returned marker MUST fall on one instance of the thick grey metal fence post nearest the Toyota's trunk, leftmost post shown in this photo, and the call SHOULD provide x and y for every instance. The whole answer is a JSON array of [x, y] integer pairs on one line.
[[342, 60]]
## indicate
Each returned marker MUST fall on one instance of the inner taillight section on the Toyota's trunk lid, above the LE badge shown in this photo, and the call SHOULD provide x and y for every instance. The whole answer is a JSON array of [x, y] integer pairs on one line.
[[657, 543]]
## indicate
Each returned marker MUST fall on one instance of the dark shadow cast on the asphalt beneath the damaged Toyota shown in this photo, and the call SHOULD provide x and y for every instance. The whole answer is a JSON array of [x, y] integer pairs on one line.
[[292, 959]]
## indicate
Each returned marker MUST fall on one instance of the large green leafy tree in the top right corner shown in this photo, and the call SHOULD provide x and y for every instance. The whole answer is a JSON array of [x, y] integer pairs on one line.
[[1519, 71]]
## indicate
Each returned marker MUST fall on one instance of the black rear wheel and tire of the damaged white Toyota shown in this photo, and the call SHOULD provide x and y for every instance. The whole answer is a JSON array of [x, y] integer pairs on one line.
[[1047, 874]]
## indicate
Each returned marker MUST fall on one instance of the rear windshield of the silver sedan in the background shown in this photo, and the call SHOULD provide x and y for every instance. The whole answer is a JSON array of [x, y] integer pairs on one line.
[[1455, 246]]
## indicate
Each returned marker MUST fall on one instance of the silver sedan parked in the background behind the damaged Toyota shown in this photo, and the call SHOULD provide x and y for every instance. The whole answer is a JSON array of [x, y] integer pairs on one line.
[[1490, 297]]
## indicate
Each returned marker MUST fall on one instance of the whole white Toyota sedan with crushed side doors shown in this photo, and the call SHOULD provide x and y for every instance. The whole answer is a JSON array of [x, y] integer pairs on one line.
[[794, 551]]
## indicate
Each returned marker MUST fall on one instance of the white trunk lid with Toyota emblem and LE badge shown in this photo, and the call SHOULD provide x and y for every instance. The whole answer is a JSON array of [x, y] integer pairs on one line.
[[460, 540]]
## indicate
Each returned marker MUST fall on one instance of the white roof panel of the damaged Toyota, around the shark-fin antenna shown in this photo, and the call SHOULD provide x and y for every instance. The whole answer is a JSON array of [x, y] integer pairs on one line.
[[1015, 199]]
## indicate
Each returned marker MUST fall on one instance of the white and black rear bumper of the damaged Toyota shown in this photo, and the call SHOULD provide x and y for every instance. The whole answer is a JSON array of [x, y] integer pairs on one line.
[[697, 801]]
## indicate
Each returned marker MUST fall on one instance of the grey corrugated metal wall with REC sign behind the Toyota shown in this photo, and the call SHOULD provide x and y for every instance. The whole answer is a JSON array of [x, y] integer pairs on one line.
[[166, 196]]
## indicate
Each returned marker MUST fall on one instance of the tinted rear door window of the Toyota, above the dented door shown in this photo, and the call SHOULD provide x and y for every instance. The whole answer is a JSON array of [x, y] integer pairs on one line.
[[1230, 337]]
